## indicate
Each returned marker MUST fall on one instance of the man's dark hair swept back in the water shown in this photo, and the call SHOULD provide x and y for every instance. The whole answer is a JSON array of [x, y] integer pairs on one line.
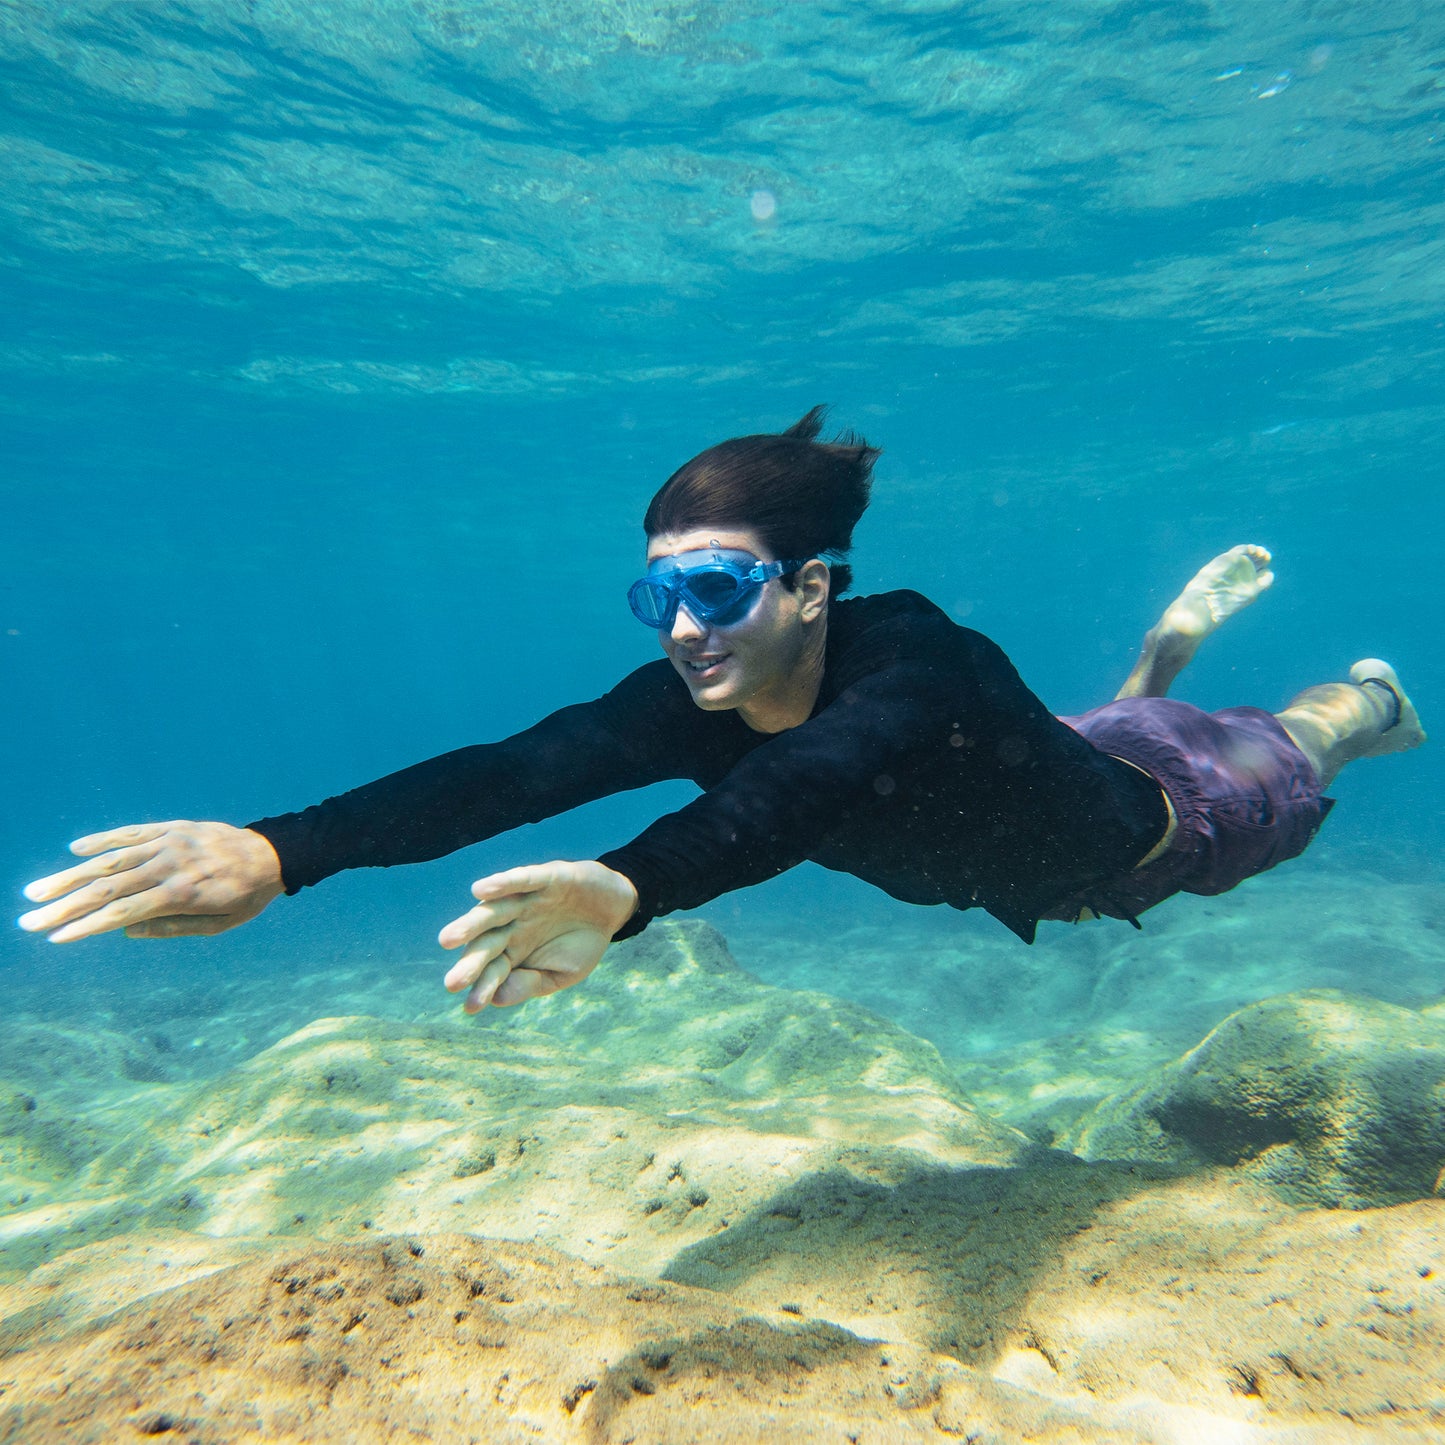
[[801, 496]]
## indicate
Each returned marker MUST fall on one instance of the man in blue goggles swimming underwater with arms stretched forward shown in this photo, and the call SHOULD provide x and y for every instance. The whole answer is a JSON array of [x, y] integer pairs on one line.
[[874, 736]]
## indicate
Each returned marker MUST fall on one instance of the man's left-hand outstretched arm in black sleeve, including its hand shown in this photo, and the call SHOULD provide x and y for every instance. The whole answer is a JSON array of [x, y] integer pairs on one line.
[[170, 879]]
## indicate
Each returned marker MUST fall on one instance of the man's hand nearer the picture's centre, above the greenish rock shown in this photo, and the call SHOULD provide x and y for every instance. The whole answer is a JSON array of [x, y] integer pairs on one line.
[[535, 931]]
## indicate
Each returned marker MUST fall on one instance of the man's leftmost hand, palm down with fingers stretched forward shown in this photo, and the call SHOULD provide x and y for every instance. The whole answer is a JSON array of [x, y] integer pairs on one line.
[[158, 881]]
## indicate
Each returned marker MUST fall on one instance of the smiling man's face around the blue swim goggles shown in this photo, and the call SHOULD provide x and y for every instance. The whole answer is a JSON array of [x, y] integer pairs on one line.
[[755, 658]]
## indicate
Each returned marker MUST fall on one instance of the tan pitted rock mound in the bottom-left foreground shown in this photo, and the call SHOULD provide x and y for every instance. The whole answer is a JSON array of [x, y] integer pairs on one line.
[[453, 1339]]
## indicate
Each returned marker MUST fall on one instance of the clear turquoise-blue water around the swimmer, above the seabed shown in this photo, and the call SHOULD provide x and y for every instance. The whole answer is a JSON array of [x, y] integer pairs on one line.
[[343, 348]]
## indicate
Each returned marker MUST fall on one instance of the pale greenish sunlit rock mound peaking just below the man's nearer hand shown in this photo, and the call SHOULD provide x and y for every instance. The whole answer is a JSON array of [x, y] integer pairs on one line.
[[622, 1121]]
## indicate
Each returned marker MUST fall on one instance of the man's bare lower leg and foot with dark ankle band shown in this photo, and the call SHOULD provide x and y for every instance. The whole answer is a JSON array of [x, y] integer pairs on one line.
[[1366, 717]]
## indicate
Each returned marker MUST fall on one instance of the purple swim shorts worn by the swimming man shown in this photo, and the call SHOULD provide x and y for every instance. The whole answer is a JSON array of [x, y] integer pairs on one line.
[[1245, 795]]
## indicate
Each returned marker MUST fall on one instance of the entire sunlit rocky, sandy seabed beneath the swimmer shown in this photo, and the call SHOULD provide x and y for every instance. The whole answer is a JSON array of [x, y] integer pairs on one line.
[[681, 1204]]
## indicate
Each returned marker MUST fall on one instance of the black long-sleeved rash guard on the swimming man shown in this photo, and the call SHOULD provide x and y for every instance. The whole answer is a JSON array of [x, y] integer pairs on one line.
[[927, 769]]
